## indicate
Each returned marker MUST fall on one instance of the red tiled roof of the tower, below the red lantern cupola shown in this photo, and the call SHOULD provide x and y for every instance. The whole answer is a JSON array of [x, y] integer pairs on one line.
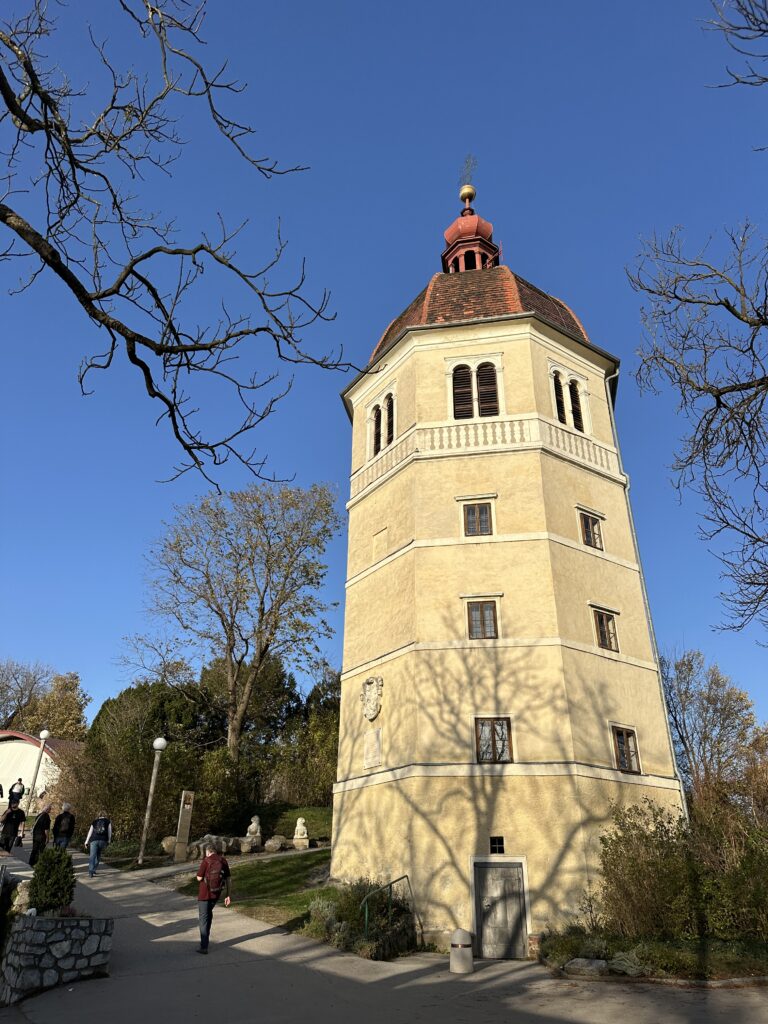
[[455, 298]]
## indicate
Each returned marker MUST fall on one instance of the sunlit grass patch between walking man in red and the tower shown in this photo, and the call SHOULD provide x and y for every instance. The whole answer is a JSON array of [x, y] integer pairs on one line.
[[278, 891]]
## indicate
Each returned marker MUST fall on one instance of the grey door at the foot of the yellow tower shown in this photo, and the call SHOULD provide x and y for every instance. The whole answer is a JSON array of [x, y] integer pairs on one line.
[[500, 913]]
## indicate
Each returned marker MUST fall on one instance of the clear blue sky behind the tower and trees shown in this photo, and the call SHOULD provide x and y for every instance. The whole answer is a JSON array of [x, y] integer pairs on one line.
[[593, 125]]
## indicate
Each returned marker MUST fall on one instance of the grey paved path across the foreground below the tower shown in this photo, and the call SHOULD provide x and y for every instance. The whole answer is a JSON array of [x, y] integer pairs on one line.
[[255, 972]]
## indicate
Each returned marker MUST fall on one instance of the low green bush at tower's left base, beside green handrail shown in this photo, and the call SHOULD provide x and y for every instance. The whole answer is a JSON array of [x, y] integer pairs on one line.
[[340, 922]]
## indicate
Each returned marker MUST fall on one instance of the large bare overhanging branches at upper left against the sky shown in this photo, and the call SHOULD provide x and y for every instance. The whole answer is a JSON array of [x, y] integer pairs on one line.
[[70, 206]]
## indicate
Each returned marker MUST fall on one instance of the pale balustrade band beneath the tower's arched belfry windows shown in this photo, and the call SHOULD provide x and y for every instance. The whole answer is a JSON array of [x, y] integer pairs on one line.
[[493, 435]]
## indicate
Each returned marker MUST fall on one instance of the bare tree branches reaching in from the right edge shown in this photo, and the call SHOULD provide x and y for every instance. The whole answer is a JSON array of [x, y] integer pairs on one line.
[[707, 337]]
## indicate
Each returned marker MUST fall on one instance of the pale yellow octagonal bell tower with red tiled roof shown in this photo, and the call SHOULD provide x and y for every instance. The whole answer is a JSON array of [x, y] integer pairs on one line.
[[500, 687]]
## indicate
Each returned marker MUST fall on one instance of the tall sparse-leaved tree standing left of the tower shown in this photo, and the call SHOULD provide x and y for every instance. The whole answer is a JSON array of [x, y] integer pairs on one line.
[[239, 577]]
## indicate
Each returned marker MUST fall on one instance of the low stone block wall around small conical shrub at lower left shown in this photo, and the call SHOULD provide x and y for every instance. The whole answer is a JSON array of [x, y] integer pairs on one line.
[[41, 953]]
